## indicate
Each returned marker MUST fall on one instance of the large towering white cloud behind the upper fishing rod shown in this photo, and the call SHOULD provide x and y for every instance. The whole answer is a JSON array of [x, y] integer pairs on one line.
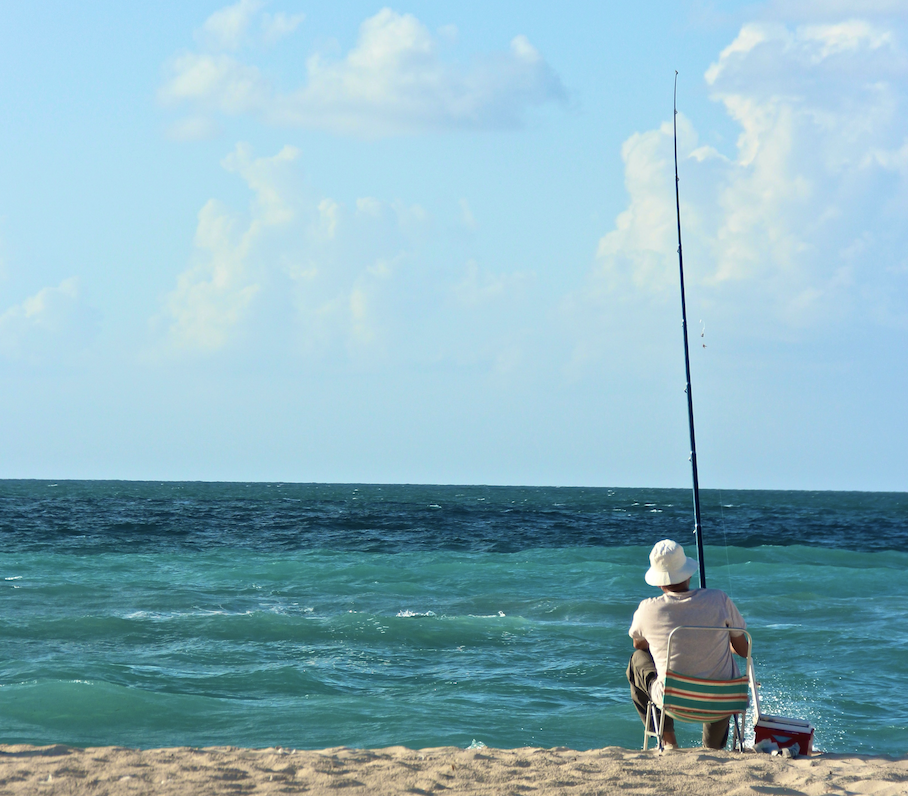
[[818, 170]]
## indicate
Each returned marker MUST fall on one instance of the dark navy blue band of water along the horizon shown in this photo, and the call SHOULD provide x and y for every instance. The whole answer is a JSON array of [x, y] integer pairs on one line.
[[92, 516]]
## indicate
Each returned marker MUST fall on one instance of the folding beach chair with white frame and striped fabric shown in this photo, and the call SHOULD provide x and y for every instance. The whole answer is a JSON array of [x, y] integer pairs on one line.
[[693, 699]]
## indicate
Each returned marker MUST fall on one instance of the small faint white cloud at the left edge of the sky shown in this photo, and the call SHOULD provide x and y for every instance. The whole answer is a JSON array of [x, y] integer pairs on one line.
[[51, 323]]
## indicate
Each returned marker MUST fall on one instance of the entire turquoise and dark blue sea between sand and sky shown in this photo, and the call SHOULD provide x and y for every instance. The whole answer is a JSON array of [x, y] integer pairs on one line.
[[308, 616]]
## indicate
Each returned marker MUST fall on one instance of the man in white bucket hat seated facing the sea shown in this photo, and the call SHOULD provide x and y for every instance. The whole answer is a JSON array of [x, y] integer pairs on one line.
[[693, 654]]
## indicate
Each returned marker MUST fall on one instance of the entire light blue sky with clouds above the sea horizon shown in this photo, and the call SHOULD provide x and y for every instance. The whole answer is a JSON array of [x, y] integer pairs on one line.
[[436, 243]]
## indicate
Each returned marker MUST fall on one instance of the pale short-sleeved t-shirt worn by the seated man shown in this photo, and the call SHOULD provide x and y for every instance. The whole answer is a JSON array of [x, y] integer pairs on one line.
[[695, 653]]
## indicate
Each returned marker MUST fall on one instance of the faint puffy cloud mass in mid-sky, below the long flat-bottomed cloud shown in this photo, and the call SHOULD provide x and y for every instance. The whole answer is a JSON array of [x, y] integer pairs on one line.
[[300, 270]]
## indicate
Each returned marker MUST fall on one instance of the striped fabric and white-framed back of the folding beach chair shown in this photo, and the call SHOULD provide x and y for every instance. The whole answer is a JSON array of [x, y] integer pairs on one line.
[[698, 700]]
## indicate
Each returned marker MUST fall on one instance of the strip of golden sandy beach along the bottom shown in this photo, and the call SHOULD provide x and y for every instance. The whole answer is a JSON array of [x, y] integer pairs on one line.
[[449, 770]]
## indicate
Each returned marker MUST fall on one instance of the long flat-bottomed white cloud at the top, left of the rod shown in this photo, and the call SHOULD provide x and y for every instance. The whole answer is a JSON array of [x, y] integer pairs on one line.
[[395, 80]]
